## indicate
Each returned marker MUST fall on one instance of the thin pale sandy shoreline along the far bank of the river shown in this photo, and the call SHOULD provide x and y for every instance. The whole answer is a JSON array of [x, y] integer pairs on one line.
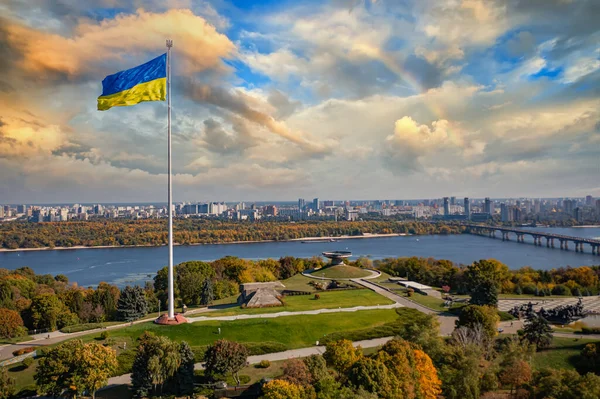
[[201, 243]]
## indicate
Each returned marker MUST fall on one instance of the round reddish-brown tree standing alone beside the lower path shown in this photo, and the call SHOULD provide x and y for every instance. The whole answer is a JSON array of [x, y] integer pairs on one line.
[[225, 357]]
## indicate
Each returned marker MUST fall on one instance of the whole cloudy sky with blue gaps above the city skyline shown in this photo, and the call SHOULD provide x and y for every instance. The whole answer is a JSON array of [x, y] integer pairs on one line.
[[284, 99]]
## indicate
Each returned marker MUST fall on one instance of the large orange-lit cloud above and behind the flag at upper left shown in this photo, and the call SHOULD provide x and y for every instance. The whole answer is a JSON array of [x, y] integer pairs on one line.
[[198, 43]]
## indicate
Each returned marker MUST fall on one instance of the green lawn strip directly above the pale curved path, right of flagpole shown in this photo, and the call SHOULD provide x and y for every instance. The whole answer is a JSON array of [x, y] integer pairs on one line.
[[328, 300]]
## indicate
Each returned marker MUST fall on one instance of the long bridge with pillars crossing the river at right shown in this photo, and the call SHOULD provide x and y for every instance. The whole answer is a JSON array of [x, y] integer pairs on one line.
[[490, 231]]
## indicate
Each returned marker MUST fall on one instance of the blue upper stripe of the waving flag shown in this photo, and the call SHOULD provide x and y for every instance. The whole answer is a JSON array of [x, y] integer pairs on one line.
[[124, 80]]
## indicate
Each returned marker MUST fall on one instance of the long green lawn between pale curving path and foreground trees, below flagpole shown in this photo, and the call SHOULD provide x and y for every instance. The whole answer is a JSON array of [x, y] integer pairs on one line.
[[291, 331]]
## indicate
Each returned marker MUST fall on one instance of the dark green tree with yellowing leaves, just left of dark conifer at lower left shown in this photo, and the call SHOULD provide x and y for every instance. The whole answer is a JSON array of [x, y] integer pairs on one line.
[[156, 361]]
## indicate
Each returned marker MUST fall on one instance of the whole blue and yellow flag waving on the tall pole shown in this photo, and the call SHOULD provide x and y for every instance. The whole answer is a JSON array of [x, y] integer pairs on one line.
[[147, 82]]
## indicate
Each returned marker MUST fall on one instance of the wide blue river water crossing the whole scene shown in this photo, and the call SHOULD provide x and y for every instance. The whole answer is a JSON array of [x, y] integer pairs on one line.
[[122, 266]]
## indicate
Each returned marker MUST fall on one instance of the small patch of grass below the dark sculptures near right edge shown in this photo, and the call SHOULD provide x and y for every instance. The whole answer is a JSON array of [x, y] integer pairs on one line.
[[562, 354]]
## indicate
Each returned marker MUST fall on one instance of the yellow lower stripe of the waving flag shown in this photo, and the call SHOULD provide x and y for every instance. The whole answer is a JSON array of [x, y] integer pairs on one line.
[[155, 90]]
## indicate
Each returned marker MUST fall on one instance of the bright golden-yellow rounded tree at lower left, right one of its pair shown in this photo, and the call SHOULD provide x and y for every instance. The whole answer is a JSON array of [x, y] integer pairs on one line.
[[95, 364]]
